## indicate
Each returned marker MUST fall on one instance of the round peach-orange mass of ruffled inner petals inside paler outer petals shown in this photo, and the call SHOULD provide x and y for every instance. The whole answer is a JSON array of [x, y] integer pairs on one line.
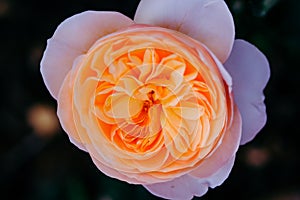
[[146, 94]]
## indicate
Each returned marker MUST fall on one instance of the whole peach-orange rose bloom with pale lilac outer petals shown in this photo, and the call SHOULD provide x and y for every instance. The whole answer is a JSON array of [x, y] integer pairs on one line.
[[163, 100]]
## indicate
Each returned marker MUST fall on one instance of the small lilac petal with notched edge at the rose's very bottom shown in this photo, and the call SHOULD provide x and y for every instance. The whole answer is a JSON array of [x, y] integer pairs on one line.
[[182, 188]]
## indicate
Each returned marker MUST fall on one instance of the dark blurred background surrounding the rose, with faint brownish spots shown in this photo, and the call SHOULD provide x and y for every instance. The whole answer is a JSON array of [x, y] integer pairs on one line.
[[39, 162]]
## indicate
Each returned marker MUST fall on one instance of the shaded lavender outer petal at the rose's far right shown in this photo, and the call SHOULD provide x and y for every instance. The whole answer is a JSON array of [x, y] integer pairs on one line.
[[250, 72]]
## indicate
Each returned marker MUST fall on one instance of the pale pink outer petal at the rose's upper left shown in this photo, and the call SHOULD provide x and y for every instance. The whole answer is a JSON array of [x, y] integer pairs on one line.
[[74, 37]]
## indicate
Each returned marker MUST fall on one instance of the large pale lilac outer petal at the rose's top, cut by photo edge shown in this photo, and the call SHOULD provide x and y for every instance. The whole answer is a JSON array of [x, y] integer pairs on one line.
[[208, 21]]
